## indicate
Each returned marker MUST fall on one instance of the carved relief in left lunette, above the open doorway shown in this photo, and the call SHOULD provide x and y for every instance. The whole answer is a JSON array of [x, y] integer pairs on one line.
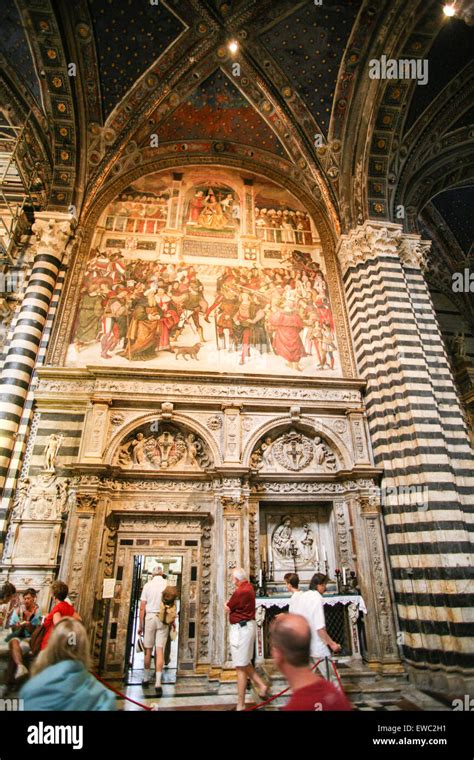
[[171, 448]]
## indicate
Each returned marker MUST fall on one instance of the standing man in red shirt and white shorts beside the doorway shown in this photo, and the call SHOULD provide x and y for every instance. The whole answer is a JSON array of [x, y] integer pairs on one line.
[[241, 609]]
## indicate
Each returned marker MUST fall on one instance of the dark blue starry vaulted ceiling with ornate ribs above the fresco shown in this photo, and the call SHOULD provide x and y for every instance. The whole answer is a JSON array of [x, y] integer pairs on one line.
[[355, 144]]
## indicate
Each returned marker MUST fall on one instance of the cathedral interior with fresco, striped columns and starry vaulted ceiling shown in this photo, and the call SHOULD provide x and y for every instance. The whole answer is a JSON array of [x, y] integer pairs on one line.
[[236, 264]]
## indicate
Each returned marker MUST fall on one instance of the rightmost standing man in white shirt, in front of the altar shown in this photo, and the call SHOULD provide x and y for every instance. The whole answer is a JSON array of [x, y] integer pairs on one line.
[[311, 606]]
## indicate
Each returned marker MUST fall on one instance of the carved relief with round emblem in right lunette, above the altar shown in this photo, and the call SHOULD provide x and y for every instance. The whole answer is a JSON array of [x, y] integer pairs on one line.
[[294, 452]]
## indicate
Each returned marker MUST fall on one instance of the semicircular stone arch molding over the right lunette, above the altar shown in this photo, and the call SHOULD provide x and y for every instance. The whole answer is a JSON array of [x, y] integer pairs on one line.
[[304, 425]]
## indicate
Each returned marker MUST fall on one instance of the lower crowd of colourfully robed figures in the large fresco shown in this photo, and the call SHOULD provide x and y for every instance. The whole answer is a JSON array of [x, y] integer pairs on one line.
[[140, 309]]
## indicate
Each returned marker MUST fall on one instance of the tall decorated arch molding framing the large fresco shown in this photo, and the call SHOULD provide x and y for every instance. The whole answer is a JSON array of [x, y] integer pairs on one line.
[[259, 165]]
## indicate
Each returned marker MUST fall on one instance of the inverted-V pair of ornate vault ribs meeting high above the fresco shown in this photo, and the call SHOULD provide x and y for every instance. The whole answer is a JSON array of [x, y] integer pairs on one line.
[[163, 88]]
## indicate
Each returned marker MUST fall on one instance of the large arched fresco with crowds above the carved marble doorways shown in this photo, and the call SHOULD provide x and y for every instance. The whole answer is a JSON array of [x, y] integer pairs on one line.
[[142, 304]]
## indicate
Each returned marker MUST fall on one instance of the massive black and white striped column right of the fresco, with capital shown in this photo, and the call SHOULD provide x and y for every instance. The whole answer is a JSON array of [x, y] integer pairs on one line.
[[420, 439]]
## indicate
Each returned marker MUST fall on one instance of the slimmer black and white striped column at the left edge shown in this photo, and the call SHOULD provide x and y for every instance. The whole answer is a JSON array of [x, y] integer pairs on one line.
[[53, 234]]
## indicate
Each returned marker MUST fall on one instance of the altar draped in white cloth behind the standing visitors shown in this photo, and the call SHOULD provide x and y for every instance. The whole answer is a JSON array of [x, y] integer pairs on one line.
[[344, 622]]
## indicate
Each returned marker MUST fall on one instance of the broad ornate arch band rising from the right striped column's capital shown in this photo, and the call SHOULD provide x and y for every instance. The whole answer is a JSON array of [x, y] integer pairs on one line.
[[360, 103]]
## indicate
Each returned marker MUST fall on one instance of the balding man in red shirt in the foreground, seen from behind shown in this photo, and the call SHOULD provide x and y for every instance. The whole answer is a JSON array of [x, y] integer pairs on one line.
[[290, 642]]
